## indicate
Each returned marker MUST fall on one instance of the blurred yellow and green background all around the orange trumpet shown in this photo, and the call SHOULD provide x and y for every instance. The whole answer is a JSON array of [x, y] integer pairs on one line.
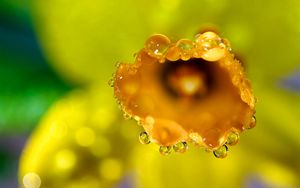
[[60, 125]]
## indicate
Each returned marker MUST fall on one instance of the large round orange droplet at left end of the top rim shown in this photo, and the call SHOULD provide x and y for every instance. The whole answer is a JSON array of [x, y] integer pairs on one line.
[[157, 45]]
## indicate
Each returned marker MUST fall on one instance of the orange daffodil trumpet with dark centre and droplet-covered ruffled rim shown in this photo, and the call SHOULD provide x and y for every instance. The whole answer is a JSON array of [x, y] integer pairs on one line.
[[188, 91]]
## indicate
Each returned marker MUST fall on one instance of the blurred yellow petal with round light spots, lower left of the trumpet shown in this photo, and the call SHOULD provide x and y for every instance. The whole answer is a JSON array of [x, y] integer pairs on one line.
[[71, 148]]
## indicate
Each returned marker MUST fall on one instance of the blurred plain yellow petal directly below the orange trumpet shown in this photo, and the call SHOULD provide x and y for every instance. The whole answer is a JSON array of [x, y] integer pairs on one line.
[[198, 169]]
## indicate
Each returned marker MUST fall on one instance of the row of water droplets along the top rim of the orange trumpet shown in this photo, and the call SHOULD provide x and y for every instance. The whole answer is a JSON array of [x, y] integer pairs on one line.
[[208, 46]]
